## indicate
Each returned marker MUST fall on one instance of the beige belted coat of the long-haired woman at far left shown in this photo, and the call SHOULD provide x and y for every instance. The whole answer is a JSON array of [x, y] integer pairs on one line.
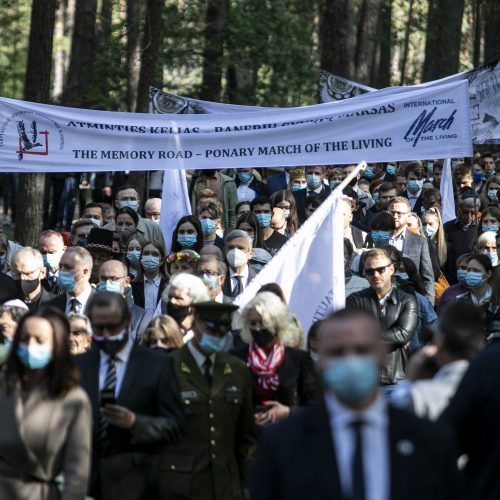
[[42, 438]]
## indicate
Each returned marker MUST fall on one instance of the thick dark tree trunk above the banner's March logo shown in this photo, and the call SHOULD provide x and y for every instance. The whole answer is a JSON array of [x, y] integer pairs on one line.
[[442, 47]]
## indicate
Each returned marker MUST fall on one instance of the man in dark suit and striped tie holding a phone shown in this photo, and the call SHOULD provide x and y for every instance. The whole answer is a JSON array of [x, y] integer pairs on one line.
[[135, 404]]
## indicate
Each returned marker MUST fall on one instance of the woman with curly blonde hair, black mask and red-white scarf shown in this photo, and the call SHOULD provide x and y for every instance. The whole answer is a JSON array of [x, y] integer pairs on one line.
[[282, 375]]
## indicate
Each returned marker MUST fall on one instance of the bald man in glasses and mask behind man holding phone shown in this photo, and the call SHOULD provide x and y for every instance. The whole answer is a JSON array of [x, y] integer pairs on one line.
[[113, 277]]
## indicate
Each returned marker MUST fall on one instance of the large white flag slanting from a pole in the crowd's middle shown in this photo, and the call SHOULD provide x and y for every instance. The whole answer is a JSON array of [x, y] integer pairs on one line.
[[310, 266]]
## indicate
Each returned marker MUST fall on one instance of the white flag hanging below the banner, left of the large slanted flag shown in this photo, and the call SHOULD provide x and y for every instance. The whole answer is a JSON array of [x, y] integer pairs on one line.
[[174, 203]]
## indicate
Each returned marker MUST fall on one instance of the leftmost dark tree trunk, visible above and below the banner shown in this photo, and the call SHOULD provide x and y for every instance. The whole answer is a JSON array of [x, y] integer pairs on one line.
[[29, 213]]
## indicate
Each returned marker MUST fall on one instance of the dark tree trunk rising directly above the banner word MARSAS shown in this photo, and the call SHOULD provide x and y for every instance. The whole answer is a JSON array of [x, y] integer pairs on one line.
[[366, 40]]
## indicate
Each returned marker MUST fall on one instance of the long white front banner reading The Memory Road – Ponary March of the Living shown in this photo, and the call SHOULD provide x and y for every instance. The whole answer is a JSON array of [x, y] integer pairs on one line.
[[431, 122]]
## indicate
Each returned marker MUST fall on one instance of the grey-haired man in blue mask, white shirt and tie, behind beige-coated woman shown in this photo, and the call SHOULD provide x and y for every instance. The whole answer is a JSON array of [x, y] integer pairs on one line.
[[75, 269]]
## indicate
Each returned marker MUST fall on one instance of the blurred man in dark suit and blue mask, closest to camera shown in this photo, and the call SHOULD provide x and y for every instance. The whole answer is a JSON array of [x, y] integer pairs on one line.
[[354, 445]]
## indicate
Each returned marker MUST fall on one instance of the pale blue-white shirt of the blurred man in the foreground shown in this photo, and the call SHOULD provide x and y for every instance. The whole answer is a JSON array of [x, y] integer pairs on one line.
[[375, 440]]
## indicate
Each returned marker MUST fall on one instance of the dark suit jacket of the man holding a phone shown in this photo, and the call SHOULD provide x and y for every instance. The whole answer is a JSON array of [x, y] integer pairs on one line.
[[127, 467]]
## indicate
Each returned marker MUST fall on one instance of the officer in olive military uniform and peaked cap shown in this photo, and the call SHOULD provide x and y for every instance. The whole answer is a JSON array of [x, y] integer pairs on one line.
[[211, 461]]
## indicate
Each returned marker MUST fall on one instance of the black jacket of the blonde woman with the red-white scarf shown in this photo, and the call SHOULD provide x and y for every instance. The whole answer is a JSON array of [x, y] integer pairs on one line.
[[297, 383]]
